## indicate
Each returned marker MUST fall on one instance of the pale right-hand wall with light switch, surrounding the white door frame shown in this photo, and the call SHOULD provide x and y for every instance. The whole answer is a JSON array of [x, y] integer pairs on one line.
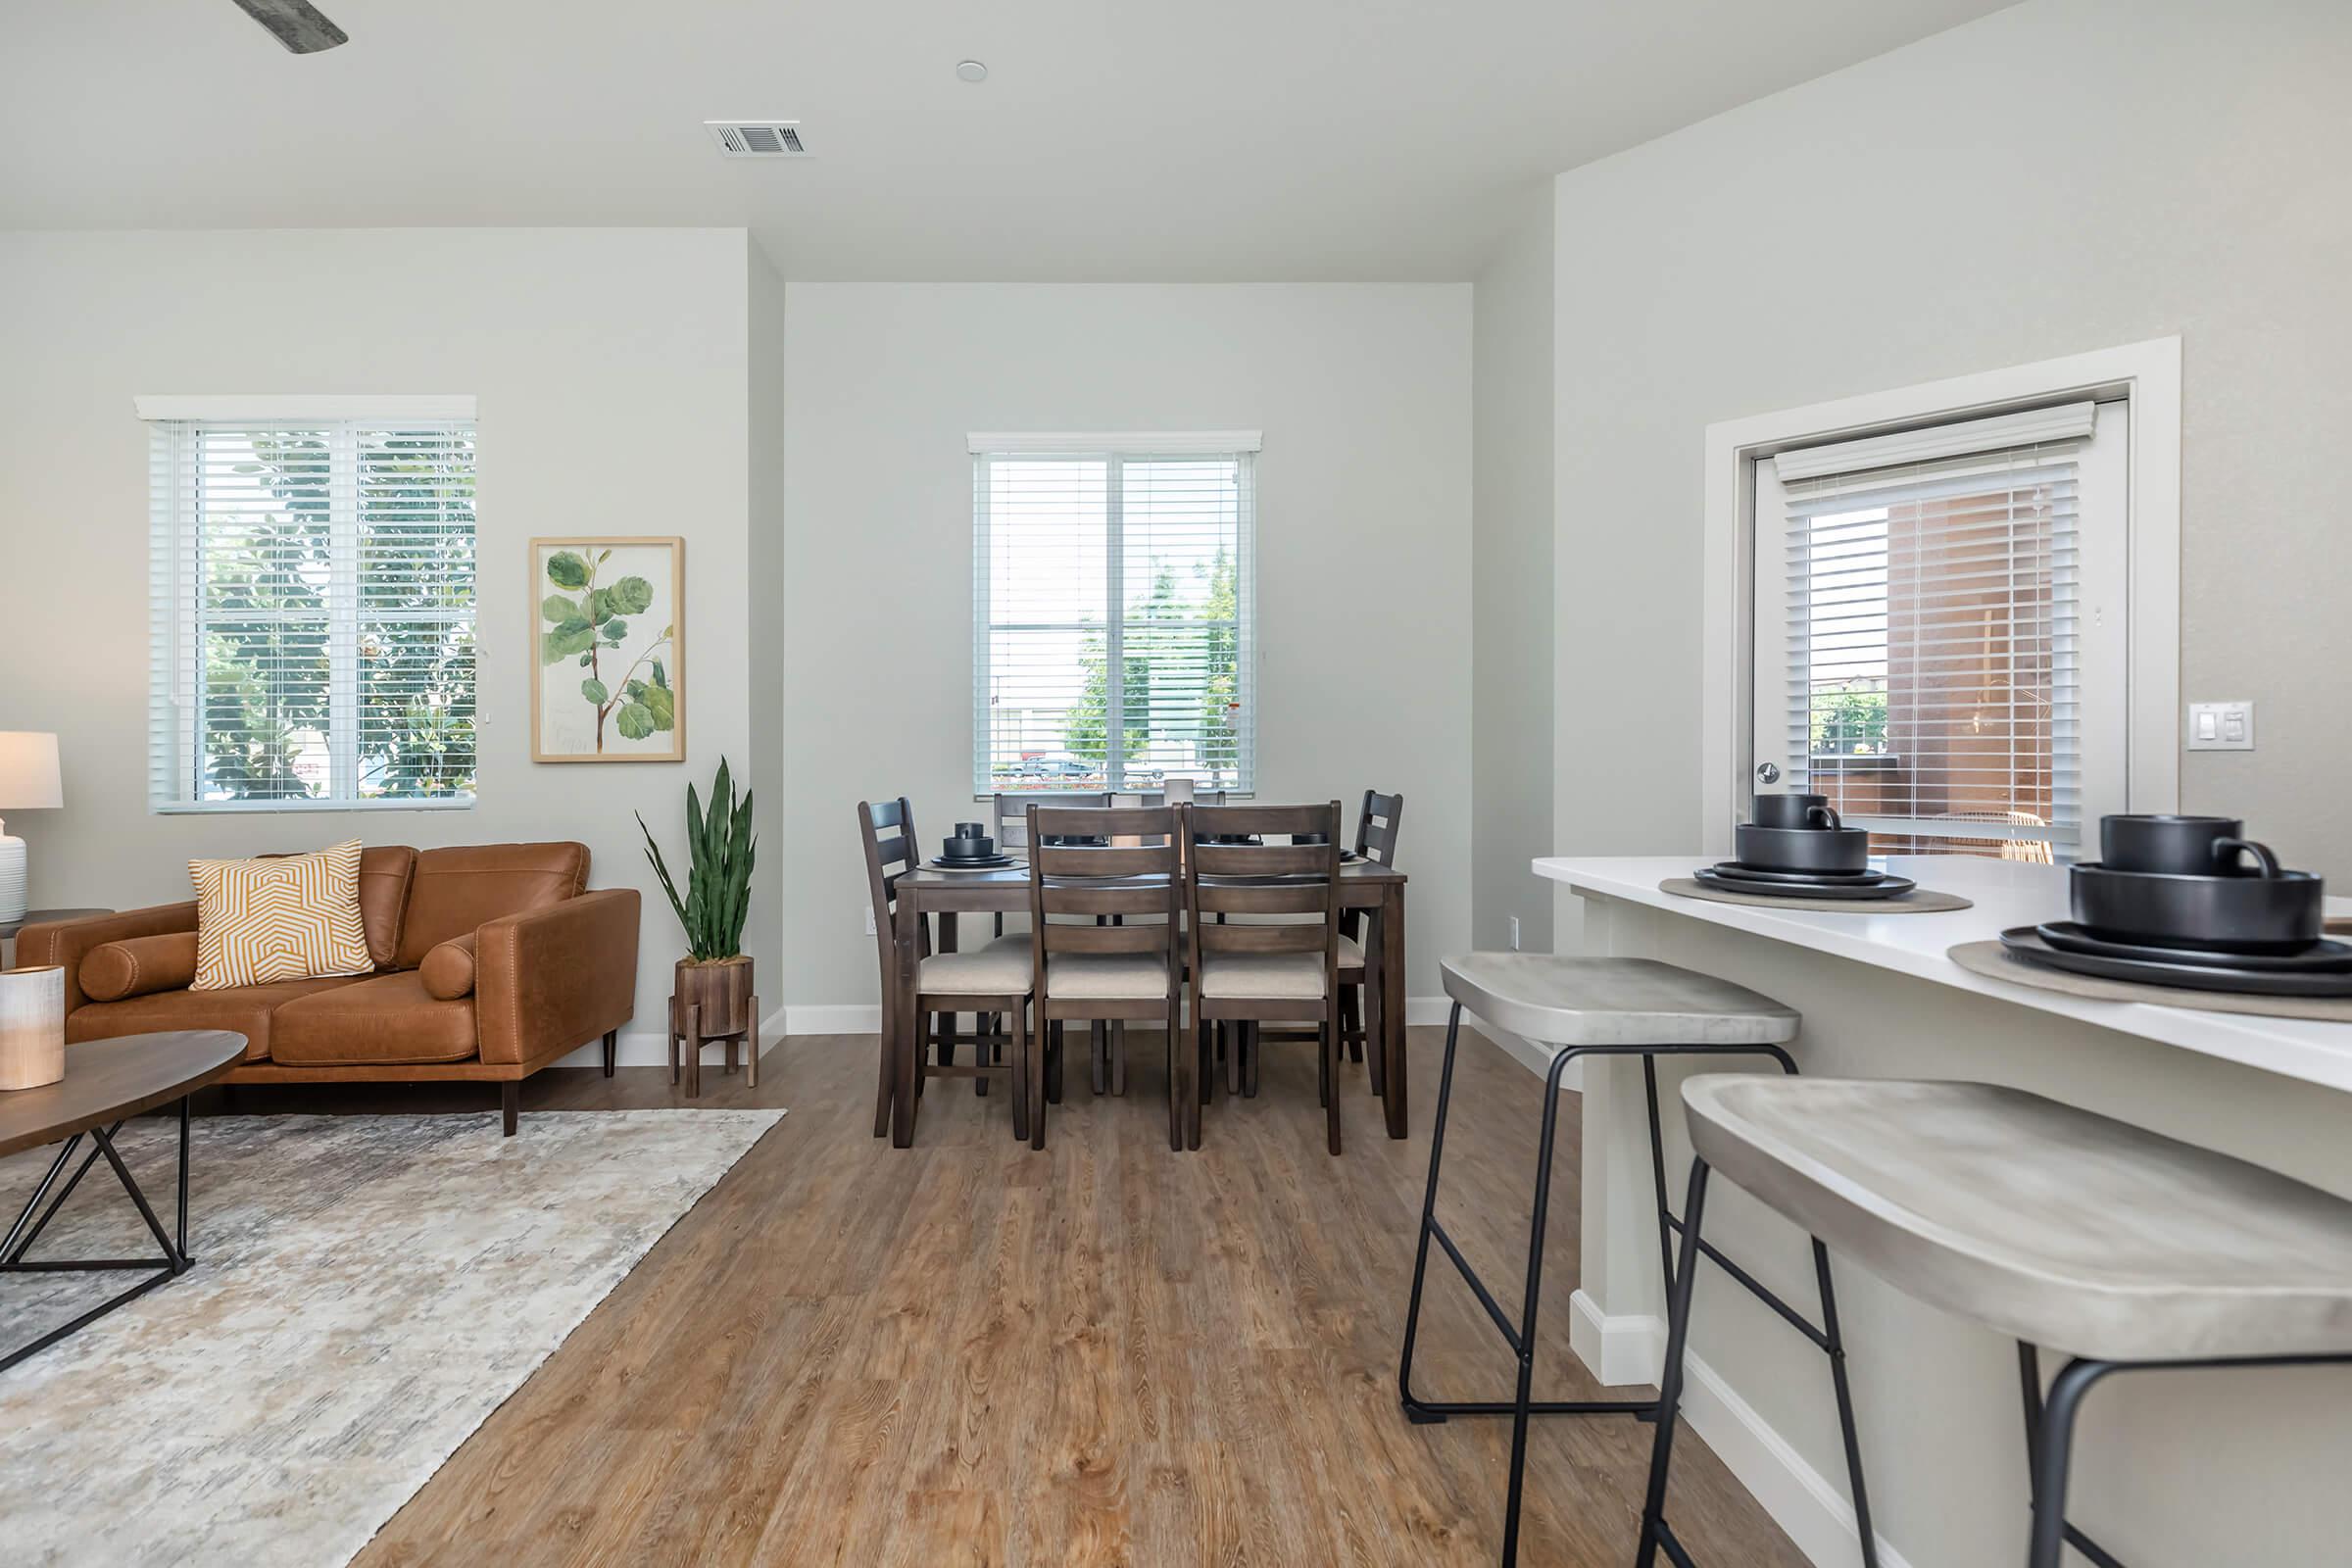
[[2059, 177]]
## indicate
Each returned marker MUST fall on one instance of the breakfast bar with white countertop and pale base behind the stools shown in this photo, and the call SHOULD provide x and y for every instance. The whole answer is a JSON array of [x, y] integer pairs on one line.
[[2179, 1468]]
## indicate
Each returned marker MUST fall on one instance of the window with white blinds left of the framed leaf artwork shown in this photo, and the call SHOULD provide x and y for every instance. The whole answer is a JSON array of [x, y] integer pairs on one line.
[[312, 615]]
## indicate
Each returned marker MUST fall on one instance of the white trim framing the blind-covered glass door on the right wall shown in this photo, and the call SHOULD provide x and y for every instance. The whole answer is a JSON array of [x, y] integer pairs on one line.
[[2149, 375]]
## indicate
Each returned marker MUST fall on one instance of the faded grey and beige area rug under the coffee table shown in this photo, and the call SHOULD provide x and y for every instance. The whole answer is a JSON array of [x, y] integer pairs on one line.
[[366, 1294]]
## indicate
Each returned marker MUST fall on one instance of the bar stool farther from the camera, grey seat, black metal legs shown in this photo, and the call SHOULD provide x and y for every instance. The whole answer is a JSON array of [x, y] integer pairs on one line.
[[1603, 1007]]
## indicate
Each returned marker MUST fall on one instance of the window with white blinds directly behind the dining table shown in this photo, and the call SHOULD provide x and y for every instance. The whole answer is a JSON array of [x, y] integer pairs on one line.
[[1114, 612]]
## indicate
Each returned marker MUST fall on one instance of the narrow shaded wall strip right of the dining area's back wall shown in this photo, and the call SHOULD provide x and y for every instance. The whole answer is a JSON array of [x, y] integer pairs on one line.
[[1511, 582]]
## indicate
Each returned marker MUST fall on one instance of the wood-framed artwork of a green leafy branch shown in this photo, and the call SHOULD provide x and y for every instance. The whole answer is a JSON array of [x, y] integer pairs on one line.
[[608, 650]]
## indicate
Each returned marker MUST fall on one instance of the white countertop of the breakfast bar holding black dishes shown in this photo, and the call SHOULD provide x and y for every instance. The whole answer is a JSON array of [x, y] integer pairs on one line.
[[2007, 894]]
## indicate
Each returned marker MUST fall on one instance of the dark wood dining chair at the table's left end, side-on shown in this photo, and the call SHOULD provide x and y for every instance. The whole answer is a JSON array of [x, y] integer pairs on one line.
[[991, 984]]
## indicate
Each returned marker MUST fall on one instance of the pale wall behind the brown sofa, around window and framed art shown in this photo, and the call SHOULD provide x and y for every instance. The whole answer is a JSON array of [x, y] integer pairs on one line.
[[613, 382]]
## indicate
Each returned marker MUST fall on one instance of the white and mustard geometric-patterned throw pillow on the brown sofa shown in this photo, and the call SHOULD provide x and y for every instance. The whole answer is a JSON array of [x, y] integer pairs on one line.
[[295, 918]]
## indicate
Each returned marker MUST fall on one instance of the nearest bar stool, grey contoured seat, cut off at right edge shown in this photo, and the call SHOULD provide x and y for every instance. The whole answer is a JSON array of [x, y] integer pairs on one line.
[[2040, 1221]]
